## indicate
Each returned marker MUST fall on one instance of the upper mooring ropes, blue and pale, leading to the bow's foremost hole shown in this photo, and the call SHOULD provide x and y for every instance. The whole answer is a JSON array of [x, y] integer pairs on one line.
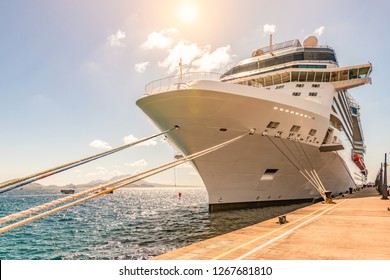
[[19, 182]]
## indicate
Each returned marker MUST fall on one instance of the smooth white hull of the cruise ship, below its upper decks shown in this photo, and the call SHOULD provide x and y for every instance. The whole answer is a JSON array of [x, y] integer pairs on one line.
[[257, 170]]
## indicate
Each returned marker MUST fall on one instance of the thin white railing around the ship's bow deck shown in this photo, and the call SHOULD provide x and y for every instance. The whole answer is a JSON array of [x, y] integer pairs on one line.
[[178, 82]]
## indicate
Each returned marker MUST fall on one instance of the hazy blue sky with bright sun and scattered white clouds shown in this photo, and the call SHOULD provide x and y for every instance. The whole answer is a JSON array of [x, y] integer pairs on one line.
[[72, 70]]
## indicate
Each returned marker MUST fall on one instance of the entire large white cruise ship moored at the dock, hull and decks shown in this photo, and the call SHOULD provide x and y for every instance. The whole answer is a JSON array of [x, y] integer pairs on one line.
[[306, 139]]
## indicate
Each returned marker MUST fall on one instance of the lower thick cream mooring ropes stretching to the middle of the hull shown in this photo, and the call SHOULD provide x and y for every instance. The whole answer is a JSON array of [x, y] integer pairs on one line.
[[103, 188]]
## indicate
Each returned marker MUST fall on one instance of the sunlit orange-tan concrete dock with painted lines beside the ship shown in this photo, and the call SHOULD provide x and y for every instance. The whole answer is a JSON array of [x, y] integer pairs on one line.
[[356, 227]]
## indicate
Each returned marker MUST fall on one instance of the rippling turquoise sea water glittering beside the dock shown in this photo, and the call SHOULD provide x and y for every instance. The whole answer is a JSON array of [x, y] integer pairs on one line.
[[130, 224]]
